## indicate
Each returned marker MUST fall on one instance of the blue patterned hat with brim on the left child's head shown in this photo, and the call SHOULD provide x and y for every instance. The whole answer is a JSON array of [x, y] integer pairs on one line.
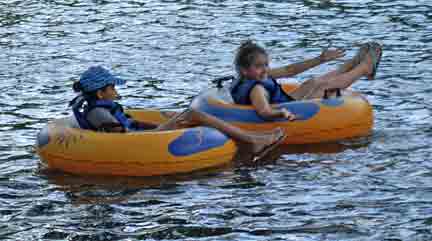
[[97, 77]]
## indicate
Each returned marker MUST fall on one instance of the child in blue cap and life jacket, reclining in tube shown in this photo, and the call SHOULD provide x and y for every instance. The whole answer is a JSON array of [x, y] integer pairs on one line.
[[95, 109]]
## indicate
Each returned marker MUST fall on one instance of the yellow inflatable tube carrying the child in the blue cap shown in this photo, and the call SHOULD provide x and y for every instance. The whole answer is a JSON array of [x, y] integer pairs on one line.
[[73, 150]]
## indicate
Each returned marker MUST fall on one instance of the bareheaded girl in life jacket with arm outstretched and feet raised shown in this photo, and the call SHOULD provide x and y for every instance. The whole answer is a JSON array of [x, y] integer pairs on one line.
[[256, 84]]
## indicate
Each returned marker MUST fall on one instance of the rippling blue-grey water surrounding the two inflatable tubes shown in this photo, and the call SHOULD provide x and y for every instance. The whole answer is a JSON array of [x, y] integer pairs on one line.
[[374, 188]]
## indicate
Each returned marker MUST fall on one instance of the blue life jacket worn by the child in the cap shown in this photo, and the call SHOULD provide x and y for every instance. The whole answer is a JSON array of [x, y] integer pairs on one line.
[[80, 110]]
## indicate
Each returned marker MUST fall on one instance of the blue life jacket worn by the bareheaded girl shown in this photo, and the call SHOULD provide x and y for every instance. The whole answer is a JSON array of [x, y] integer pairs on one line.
[[240, 91]]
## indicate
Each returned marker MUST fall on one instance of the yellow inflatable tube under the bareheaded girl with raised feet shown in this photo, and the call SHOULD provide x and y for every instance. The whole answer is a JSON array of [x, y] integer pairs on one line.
[[319, 120]]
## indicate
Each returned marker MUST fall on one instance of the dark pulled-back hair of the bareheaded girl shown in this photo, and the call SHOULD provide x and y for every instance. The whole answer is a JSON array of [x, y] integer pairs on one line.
[[246, 54]]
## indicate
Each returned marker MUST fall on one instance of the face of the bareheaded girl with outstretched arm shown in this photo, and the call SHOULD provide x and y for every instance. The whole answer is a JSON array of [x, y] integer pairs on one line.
[[258, 70]]
